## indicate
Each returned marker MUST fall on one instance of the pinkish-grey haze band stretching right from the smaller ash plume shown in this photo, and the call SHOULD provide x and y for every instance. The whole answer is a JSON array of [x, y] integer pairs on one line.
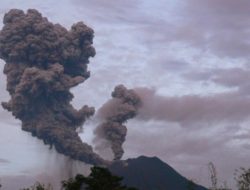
[[190, 109]]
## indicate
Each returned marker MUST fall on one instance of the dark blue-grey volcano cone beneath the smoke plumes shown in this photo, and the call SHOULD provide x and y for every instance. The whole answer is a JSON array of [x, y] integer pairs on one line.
[[150, 173]]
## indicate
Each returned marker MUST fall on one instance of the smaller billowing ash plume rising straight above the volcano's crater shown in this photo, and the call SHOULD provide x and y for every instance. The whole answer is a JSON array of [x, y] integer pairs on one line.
[[123, 106]]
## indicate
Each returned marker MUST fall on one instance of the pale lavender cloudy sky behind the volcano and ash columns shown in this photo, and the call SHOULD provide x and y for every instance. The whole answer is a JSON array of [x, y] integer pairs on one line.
[[189, 57]]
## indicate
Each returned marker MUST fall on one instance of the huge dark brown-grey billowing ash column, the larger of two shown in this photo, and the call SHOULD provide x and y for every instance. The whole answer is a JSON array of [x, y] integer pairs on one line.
[[43, 61]]
